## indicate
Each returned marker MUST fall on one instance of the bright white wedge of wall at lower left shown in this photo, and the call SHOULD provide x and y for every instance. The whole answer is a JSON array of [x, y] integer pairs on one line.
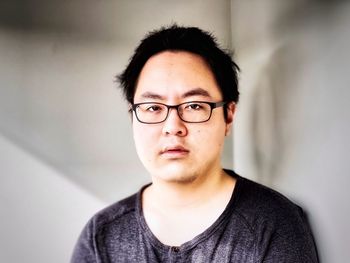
[[42, 212]]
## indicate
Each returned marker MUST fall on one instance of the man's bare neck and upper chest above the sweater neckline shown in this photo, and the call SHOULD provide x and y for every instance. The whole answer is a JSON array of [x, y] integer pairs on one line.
[[177, 212]]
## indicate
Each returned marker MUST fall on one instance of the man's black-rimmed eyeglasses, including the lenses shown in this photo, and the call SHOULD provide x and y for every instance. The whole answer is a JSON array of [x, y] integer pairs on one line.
[[191, 112]]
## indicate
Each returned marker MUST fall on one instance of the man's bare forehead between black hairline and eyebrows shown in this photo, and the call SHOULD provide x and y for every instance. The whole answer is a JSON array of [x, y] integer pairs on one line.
[[174, 73]]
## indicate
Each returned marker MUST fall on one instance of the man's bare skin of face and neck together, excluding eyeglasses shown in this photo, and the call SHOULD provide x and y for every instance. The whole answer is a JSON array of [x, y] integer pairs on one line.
[[189, 190]]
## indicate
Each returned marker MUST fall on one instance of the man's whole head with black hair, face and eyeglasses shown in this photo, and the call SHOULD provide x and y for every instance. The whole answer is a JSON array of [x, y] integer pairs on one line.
[[178, 83]]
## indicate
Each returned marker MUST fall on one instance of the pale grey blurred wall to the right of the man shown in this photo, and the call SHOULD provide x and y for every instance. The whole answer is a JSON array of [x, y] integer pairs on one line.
[[292, 129]]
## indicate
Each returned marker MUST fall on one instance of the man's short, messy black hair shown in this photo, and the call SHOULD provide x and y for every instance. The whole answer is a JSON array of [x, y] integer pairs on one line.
[[190, 39]]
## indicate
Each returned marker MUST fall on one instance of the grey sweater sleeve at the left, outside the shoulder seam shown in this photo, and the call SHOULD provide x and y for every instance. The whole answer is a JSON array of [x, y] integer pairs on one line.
[[85, 248]]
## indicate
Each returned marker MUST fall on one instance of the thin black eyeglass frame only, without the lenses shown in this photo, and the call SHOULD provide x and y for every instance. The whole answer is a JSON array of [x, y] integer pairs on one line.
[[213, 105]]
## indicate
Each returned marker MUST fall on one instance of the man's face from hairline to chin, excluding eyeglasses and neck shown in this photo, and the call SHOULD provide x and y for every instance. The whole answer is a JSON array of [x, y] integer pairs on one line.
[[176, 151]]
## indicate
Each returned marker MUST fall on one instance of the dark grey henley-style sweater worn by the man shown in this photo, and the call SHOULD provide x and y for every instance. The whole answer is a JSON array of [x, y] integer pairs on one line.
[[258, 225]]
